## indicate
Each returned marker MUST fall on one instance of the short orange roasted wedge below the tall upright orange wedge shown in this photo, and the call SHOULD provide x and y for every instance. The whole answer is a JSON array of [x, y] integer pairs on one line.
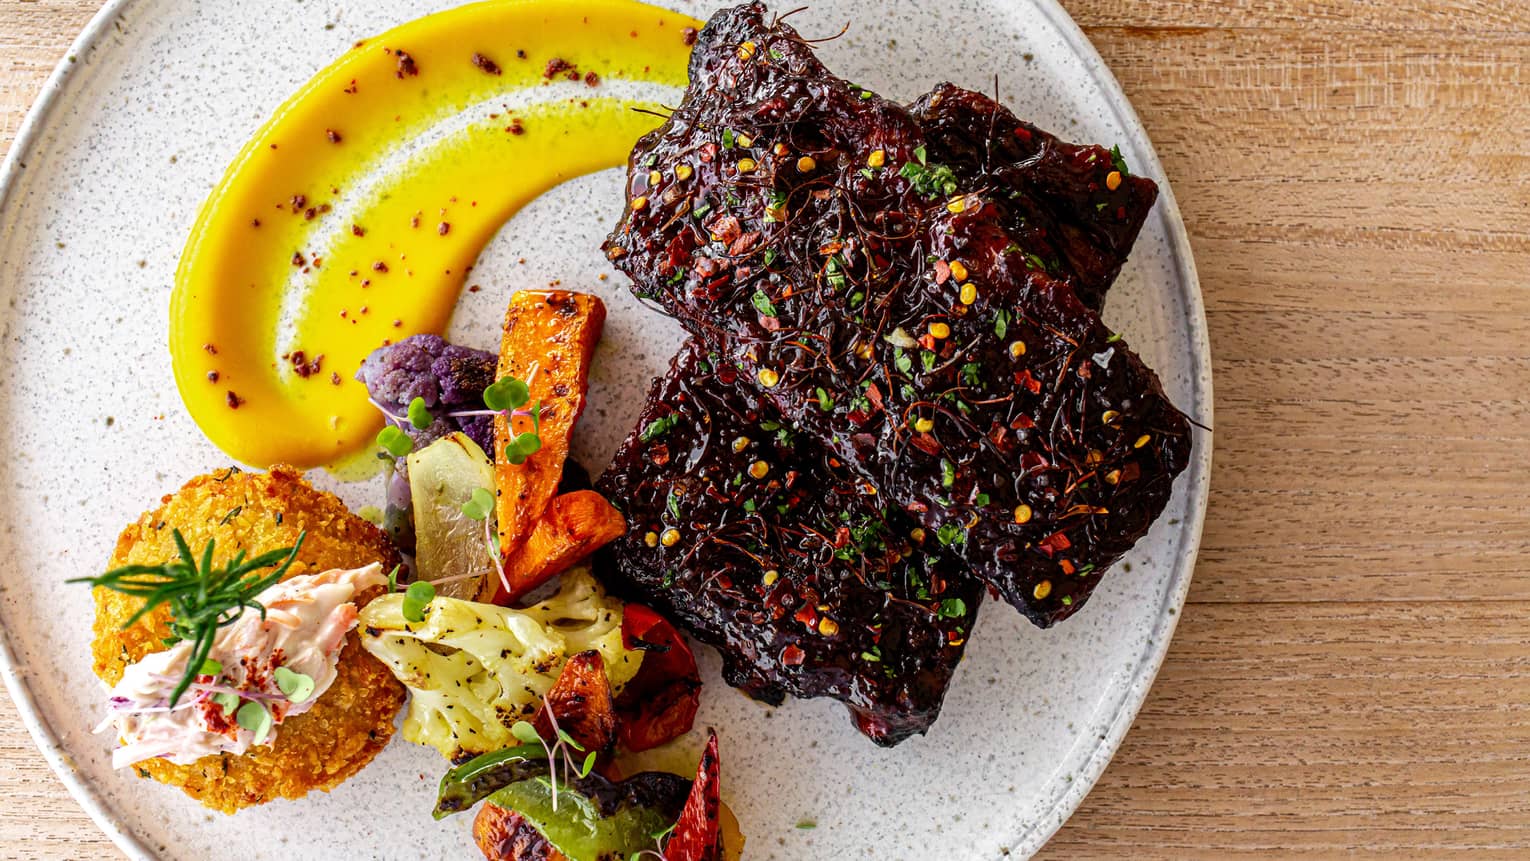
[[575, 527]]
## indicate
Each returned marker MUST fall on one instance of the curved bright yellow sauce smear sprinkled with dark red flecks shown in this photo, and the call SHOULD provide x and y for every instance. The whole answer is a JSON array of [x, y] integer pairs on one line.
[[304, 261]]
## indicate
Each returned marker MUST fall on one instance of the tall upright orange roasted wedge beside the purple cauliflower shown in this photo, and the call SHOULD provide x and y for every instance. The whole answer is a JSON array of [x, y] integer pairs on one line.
[[550, 339]]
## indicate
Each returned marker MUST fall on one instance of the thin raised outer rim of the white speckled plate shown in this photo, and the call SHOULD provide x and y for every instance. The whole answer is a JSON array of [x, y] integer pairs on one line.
[[1067, 796]]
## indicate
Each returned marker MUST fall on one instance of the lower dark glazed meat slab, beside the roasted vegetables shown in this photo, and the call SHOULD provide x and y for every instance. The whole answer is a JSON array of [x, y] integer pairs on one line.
[[770, 550]]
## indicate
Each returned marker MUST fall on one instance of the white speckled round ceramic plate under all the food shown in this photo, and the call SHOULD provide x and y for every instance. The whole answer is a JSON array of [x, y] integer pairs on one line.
[[99, 197]]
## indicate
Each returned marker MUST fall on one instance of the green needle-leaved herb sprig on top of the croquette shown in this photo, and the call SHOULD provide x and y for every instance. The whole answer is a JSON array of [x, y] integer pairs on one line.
[[203, 599]]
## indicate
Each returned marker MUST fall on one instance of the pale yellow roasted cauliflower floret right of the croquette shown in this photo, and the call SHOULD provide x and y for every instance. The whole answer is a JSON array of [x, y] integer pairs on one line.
[[474, 671]]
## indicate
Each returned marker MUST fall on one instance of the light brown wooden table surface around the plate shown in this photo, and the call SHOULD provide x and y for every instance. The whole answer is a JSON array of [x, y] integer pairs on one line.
[[1353, 671]]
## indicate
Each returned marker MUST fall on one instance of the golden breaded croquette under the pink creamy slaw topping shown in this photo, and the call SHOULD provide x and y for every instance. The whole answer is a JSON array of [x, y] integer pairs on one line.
[[258, 513]]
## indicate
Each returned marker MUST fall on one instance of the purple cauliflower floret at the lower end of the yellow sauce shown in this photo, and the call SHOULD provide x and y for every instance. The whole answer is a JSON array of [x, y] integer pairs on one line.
[[449, 379]]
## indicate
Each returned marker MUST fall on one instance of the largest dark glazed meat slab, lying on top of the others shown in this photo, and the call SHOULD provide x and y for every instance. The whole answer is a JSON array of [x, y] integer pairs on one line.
[[796, 224]]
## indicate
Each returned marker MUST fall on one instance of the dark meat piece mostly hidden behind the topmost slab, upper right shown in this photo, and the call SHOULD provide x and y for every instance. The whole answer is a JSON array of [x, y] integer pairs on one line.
[[1050, 193]]
